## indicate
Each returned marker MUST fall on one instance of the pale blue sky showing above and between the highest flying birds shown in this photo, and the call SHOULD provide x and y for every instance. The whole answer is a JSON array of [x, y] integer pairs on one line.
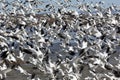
[[107, 3]]
